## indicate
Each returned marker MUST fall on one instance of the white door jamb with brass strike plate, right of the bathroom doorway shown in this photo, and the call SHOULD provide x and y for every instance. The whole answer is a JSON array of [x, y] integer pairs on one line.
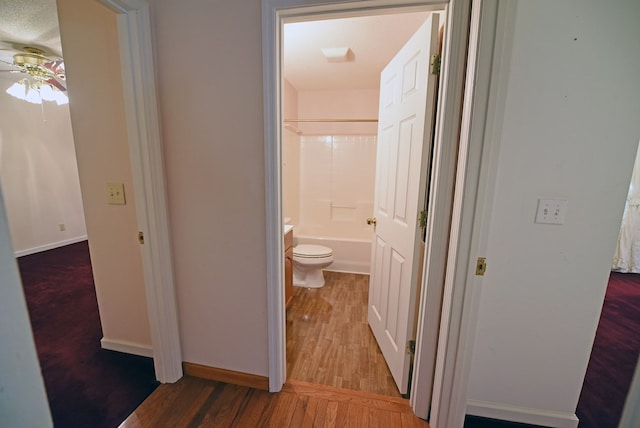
[[489, 53]]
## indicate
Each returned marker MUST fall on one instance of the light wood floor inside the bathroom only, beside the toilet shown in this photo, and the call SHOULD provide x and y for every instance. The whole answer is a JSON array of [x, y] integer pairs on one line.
[[329, 341]]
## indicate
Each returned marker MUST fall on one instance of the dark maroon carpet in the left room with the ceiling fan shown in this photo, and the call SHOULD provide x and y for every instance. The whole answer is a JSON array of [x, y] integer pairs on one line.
[[87, 386]]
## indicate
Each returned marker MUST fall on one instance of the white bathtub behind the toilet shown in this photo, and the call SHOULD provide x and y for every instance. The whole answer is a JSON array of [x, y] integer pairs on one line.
[[349, 255]]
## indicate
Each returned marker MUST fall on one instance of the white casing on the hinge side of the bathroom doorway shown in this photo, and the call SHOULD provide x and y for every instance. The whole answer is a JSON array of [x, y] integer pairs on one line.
[[447, 157]]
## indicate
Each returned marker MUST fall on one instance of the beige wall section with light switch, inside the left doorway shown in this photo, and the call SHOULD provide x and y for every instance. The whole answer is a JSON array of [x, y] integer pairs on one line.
[[89, 39]]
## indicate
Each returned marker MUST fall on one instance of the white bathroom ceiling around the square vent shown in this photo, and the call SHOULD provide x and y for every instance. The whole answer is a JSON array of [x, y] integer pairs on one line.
[[373, 41]]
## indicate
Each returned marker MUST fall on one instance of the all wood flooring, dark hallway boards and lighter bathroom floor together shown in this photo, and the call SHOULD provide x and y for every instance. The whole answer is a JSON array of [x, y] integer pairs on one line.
[[337, 375]]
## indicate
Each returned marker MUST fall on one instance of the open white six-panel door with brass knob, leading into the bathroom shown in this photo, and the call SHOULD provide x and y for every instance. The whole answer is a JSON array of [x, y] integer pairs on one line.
[[407, 91]]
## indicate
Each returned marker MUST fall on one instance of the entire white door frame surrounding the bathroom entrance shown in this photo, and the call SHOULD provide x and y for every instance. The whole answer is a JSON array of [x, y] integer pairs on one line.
[[462, 196]]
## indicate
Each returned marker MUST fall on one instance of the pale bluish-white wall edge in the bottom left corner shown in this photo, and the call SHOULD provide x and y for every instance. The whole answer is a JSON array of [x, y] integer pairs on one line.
[[23, 400]]
